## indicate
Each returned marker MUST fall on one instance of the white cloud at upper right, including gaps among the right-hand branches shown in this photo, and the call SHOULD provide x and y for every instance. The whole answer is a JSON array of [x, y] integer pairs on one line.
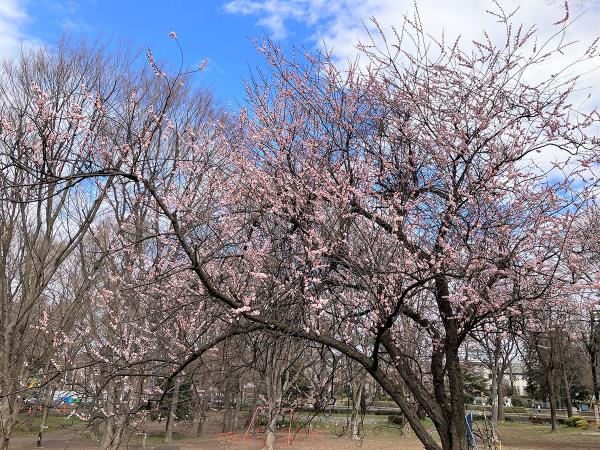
[[340, 24]]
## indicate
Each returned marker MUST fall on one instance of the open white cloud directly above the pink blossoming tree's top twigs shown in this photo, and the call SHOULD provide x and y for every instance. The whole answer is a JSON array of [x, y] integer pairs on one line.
[[341, 23]]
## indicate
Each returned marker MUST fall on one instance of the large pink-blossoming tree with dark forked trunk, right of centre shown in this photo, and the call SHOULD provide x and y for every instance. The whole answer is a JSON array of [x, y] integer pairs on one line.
[[404, 187]]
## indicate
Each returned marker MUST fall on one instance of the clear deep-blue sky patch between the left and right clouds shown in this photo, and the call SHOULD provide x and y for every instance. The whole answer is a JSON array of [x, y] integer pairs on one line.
[[204, 28]]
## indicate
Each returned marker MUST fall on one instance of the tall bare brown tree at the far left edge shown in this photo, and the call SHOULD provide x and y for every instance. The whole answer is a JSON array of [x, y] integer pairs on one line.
[[48, 117]]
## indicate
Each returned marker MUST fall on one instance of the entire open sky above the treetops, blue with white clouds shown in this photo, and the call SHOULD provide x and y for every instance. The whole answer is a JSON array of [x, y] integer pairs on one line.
[[221, 30]]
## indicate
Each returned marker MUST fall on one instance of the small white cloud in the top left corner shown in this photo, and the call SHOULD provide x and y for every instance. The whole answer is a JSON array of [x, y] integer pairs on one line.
[[13, 17]]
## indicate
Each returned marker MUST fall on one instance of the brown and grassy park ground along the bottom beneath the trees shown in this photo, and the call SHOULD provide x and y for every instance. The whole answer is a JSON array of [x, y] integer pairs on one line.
[[378, 435]]
